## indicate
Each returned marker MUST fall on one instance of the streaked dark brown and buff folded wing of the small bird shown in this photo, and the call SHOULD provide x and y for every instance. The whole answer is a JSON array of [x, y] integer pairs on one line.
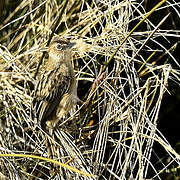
[[48, 93]]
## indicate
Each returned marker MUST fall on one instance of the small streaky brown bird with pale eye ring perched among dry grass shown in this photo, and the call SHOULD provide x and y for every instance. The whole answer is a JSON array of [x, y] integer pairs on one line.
[[55, 93]]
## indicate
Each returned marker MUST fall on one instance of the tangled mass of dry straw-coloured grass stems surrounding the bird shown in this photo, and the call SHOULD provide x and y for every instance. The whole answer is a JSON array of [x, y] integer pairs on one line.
[[122, 77]]
